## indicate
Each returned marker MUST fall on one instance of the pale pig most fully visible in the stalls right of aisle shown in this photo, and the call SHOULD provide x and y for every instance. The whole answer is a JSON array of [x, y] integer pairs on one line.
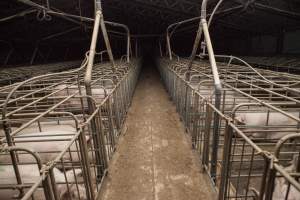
[[260, 119]]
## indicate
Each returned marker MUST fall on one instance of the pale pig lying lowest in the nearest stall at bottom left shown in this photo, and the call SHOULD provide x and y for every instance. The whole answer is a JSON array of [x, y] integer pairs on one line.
[[30, 175]]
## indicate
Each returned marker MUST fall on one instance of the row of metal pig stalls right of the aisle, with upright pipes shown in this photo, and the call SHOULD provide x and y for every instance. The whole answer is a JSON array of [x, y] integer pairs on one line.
[[244, 122]]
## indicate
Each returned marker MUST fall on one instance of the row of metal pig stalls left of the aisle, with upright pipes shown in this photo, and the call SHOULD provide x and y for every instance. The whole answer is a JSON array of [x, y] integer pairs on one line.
[[59, 130]]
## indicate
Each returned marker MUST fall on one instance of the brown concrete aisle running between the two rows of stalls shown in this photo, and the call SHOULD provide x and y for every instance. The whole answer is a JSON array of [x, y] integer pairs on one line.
[[154, 159]]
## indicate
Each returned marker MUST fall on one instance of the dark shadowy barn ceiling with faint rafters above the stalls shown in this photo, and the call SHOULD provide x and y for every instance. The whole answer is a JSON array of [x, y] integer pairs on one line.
[[144, 17]]
